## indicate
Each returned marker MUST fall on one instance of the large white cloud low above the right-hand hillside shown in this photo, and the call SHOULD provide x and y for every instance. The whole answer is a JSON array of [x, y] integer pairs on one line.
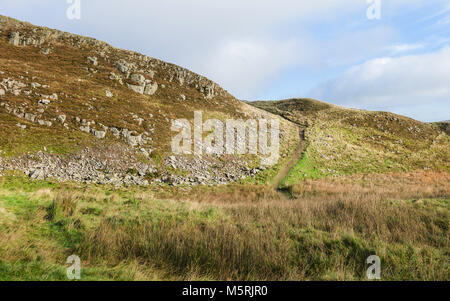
[[390, 83]]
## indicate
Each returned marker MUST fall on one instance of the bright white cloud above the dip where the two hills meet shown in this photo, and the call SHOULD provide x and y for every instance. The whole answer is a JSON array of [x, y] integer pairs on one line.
[[243, 65]]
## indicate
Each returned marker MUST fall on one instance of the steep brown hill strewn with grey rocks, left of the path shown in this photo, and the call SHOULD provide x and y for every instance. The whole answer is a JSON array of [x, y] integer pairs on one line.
[[77, 109]]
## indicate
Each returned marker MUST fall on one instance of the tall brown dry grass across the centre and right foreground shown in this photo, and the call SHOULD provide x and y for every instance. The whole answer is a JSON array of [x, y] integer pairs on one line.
[[327, 232]]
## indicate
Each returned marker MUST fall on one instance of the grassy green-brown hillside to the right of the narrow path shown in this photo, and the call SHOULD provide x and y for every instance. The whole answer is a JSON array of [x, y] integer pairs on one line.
[[342, 141]]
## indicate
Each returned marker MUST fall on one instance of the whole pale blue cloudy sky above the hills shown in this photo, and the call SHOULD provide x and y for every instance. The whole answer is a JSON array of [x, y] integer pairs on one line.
[[388, 55]]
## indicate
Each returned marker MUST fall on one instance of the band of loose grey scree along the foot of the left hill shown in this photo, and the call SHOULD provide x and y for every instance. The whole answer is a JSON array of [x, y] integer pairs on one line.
[[117, 166]]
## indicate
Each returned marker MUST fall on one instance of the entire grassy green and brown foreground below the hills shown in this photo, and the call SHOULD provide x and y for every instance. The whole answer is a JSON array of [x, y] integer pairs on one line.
[[325, 231]]
